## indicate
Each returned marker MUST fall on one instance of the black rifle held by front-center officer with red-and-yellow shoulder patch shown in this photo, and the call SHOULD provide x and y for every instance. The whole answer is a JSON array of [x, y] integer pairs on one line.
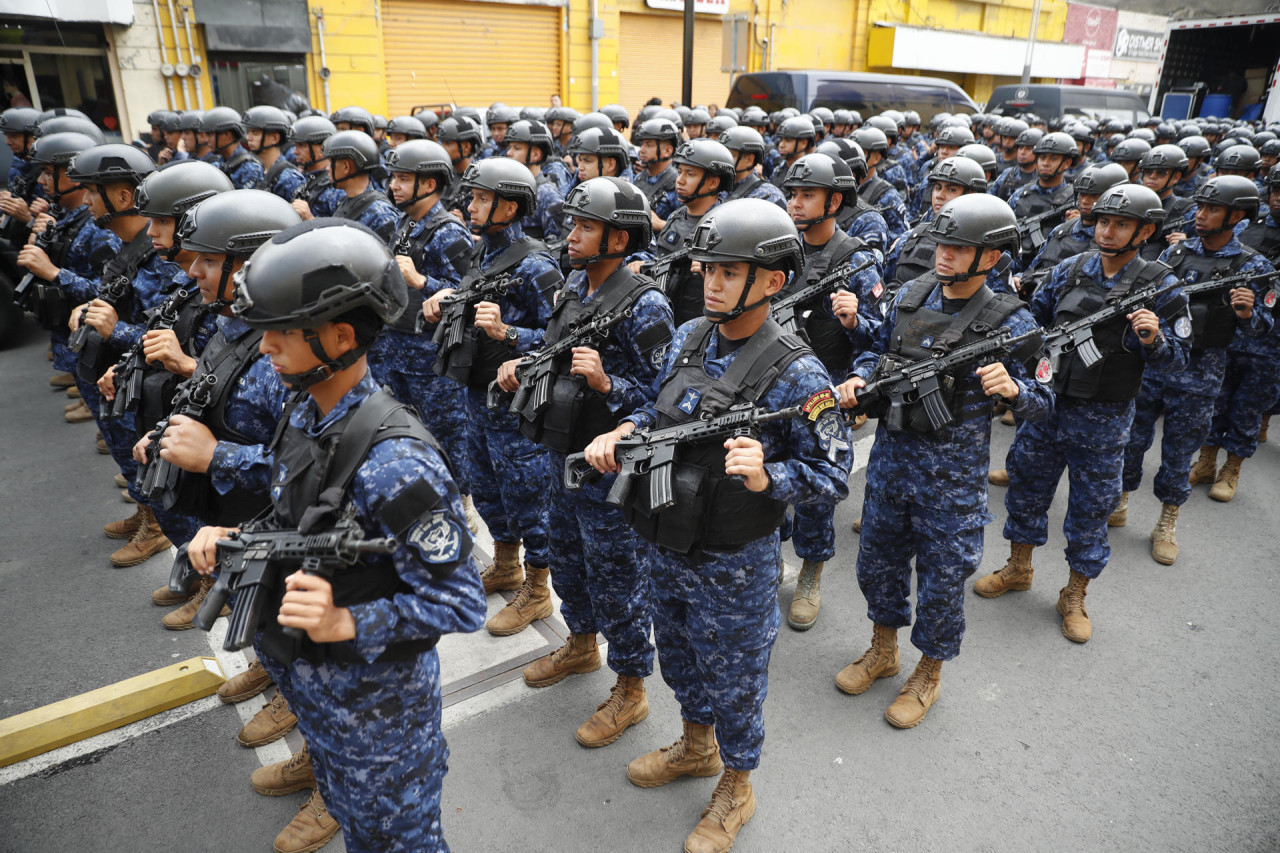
[[653, 451]]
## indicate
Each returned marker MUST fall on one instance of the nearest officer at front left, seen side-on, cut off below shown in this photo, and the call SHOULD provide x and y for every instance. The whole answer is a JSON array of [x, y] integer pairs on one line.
[[355, 655]]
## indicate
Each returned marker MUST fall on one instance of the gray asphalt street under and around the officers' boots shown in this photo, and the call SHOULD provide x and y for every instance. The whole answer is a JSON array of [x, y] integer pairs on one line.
[[1156, 736]]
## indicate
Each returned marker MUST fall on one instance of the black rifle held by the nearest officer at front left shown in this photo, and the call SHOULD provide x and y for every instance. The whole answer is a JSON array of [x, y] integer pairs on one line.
[[253, 563]]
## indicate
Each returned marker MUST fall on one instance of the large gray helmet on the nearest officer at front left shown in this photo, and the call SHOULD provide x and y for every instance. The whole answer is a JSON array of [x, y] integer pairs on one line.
[[321, 272]]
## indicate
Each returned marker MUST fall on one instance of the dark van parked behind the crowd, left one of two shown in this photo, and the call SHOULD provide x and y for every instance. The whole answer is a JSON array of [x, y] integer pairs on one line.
[[868, 94]]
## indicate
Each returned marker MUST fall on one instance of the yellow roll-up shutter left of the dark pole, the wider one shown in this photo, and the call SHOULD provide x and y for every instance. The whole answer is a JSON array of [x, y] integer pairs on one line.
[[472, 54]]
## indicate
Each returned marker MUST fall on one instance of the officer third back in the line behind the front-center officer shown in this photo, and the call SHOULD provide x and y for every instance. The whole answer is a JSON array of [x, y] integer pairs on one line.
[[509, 472]]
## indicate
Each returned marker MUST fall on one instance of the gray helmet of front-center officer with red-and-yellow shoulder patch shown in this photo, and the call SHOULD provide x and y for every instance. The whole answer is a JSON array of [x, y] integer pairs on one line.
[[751, 231]]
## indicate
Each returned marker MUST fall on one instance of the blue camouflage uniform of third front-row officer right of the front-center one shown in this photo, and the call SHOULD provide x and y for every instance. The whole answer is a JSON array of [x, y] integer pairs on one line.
[[1187, 399]]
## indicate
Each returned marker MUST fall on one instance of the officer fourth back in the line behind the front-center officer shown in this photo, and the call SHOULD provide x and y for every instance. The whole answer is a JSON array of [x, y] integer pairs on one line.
[[433, 250]]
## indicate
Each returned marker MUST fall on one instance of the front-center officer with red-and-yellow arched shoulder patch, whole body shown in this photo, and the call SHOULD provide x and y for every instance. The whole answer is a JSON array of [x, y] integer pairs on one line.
[[717, 565]]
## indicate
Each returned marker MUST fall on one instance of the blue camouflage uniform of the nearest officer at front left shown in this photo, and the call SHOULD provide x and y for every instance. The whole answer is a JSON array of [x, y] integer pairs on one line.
[[374, 728]]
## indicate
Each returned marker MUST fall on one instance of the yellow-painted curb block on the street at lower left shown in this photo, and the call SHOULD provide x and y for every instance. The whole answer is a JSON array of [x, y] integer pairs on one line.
[[117, 705]]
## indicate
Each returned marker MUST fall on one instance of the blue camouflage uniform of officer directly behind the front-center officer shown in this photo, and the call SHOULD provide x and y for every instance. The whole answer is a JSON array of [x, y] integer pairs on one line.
[[601, 567]]
